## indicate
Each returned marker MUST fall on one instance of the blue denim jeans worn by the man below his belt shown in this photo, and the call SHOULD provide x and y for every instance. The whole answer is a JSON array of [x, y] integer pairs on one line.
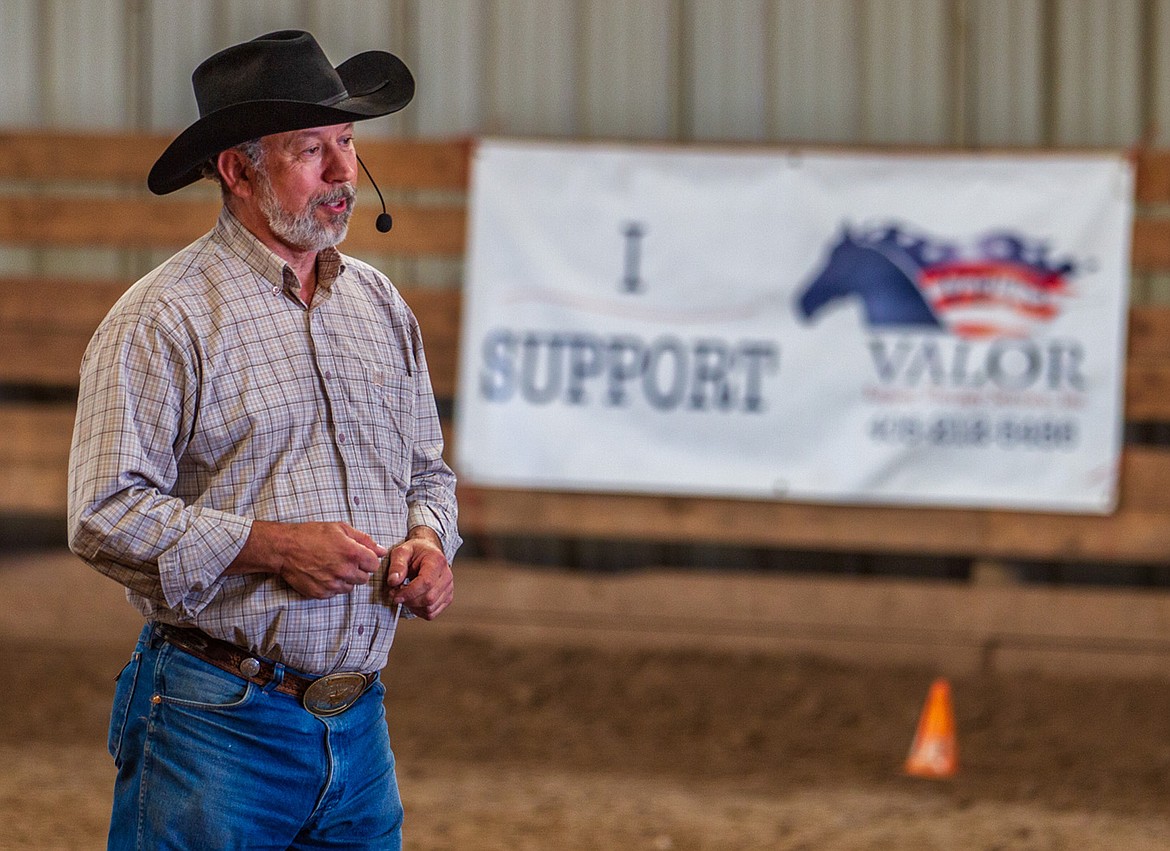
[[210, 761]]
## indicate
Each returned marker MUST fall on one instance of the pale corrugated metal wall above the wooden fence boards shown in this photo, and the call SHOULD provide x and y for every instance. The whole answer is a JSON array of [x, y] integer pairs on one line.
[[919, 72]]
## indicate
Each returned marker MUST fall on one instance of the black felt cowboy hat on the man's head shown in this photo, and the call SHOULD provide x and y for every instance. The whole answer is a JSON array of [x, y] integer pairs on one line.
[[274, 84]]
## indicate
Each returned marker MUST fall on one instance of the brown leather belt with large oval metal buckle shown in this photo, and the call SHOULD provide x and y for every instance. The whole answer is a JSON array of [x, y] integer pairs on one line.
[[322, 696]]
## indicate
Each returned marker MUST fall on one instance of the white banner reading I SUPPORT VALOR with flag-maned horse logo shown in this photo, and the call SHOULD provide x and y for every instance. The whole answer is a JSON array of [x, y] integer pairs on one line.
[[918, 330]]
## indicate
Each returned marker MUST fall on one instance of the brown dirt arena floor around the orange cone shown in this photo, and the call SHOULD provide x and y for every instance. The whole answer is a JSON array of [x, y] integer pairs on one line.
[[519, 746]]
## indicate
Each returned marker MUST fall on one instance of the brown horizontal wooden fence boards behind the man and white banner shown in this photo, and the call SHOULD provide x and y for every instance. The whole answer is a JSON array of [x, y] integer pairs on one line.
[[70, 191]]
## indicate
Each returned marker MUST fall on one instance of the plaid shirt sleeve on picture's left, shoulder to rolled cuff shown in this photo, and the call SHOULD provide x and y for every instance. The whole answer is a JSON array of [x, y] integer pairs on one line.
[[137, 404]]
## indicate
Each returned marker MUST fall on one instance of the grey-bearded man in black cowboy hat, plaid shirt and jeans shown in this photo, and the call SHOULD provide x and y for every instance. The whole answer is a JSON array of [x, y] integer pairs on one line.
[[258, 459]]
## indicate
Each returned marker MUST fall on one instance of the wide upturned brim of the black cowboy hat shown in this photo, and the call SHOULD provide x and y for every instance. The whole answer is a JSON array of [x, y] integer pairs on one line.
[[378, 84]]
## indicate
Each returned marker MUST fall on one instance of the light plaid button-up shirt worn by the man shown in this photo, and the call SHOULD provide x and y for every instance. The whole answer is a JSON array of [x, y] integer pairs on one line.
[[212, 397]]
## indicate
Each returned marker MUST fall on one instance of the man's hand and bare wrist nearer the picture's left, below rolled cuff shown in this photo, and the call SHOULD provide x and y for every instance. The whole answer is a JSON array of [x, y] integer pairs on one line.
[[318, 560]]
